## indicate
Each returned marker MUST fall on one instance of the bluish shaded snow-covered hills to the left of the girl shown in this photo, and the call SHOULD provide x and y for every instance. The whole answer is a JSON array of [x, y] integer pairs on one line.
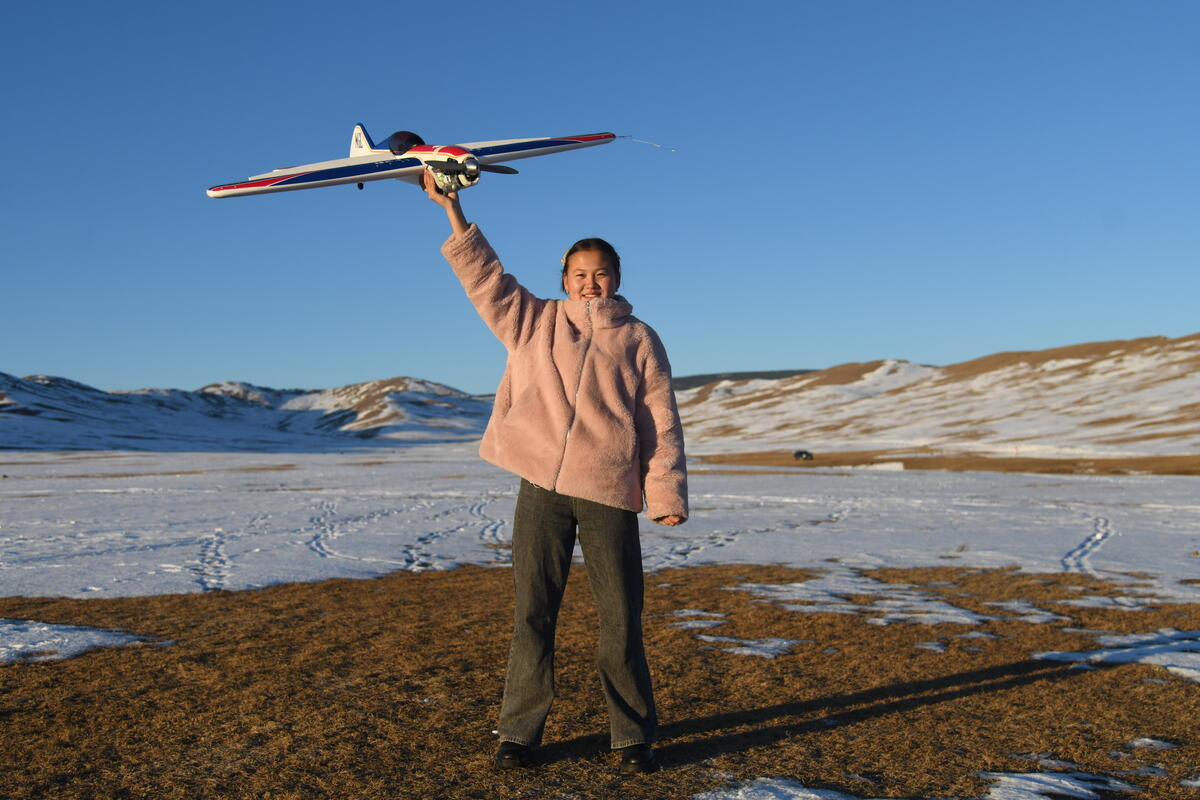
[[43, 413]]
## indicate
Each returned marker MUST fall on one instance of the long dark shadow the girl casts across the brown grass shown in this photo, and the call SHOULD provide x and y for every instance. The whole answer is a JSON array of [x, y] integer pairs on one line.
[[770, 724]]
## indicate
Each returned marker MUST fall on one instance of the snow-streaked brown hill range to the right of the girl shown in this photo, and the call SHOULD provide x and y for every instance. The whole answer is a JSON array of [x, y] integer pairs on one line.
[[1105, 399]]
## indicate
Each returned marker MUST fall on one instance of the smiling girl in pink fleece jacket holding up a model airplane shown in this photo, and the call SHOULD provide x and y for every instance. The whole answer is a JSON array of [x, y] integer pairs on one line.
[[586, 417]]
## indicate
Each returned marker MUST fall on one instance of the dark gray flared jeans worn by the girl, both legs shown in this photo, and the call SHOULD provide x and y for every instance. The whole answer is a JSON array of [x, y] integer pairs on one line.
[[543, 539]]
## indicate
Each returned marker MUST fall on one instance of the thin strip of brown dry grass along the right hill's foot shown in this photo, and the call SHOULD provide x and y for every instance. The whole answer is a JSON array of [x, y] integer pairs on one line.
[[914, 459]]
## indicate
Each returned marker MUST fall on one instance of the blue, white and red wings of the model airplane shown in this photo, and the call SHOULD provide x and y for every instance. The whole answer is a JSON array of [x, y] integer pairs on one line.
[[381, 164]]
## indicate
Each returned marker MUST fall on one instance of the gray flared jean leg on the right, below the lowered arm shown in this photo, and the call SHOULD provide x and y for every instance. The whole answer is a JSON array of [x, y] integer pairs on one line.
[[613, 552]]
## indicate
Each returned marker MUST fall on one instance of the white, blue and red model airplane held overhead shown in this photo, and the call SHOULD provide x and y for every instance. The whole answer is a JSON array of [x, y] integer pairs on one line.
[[405, 157]]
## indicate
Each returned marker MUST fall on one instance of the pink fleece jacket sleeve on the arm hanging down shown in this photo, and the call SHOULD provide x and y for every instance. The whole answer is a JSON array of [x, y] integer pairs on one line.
[[661, 435]]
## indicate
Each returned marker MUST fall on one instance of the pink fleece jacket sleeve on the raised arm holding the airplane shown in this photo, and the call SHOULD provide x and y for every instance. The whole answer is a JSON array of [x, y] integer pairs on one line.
[[509, 310]]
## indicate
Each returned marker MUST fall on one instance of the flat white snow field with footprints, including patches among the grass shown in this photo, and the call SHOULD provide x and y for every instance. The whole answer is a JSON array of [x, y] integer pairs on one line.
[[118, 524]]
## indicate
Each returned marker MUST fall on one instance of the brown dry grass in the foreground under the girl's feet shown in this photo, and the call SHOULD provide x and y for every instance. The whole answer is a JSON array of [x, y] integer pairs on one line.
[[389, 689]]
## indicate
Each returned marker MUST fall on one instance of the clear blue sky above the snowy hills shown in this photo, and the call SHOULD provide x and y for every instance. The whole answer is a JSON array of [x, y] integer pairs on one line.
[[854, 181]]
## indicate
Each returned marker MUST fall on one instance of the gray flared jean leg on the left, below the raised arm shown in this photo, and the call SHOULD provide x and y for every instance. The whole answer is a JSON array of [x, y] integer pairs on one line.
[[543, 542]]
